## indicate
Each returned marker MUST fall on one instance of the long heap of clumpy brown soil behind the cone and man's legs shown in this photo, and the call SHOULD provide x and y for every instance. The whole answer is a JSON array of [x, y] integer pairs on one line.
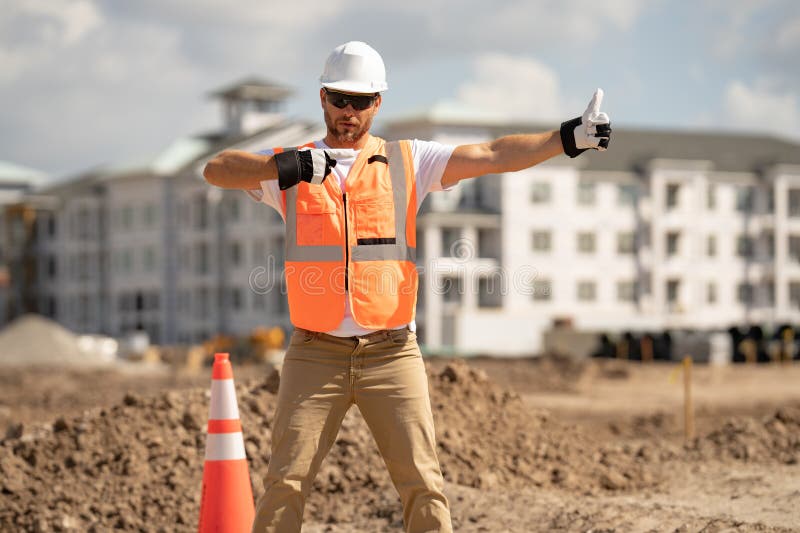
[[138, 464]]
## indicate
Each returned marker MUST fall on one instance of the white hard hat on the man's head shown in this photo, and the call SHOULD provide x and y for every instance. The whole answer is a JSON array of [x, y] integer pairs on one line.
[[354, 67]]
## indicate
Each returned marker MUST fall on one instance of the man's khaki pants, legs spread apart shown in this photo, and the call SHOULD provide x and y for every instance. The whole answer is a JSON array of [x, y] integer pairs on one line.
[[384, 375]]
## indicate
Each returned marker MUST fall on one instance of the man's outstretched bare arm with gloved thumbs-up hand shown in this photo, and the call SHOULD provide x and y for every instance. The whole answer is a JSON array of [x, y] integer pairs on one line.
[[516, 152]]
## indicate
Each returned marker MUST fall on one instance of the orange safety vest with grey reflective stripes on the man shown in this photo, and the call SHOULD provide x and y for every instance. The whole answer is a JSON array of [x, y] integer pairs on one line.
[[361, 244]]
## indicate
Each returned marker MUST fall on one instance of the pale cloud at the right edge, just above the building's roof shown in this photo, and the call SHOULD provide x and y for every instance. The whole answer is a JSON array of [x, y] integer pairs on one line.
[[758, 108]]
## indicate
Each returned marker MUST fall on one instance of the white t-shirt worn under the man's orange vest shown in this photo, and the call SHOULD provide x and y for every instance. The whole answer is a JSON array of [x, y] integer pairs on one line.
[[430, 160]]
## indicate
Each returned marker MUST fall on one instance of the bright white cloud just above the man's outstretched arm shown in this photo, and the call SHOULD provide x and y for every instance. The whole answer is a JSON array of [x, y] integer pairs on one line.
[[519, 88]]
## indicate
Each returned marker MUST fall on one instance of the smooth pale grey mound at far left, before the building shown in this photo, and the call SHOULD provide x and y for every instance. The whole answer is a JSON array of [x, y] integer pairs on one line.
[[34, 340]]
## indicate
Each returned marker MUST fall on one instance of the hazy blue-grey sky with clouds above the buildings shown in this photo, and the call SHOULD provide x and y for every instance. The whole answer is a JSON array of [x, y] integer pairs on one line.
[[91, 82]]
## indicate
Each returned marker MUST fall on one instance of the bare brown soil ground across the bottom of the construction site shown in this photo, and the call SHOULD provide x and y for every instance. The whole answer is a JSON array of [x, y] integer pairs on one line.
[[548, 444]]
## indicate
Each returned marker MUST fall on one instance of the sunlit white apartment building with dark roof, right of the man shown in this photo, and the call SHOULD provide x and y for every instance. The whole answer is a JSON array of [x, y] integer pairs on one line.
[[666, 230]]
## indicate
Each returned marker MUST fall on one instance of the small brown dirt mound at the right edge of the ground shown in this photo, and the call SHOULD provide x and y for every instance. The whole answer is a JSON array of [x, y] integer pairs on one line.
[[772, 439]]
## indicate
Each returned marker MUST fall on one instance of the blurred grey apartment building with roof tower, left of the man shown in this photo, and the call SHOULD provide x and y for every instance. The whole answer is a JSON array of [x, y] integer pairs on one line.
[[149, 246]]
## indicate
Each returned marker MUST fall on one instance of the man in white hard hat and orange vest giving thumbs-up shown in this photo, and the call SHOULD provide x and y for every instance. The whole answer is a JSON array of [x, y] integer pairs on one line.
[[350, 202]]
